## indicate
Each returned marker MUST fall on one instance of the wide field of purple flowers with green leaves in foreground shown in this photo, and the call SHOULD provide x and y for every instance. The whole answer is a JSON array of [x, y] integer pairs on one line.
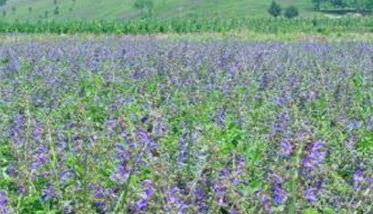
[[138, 125]]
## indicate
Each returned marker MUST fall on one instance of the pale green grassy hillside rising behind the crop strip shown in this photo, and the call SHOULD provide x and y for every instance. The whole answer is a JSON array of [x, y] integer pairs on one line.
[[124, 9]]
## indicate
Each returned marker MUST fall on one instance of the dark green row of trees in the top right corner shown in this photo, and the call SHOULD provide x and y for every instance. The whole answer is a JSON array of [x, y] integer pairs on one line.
[[357, 5]]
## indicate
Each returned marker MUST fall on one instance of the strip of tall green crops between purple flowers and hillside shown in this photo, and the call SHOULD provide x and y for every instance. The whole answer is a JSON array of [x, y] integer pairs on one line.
[[262, 25]]
